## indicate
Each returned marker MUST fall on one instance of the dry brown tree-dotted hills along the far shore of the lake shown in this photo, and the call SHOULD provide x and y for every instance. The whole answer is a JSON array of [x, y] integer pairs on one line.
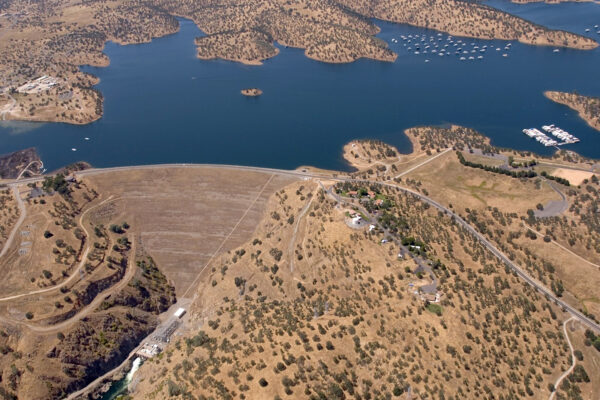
[[44, 44]]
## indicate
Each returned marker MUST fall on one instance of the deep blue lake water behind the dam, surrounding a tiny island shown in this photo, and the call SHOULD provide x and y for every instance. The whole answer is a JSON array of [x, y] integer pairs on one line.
[[164, 105]]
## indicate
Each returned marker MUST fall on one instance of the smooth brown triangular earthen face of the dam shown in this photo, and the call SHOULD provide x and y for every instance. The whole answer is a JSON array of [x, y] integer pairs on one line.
[[199, 207]]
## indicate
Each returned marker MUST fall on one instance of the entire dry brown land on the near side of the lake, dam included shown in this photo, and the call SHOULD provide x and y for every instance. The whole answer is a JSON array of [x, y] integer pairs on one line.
[[377, 283]]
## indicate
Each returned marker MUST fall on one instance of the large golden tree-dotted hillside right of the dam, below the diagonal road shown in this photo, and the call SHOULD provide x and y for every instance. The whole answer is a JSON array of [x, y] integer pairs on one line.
[[311, 307]]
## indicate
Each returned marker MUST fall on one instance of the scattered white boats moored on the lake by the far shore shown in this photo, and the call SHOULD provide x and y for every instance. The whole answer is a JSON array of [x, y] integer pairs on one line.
[[447, 46]]
